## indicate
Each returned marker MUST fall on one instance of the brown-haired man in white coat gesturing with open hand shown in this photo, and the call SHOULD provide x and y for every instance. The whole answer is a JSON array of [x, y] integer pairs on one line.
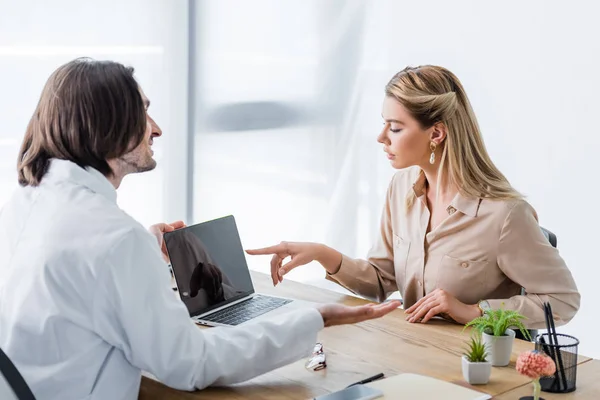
[[85, 297]]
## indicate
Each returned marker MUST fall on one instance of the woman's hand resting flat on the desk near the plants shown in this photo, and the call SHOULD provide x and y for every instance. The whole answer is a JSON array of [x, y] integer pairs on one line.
[[441, 302]]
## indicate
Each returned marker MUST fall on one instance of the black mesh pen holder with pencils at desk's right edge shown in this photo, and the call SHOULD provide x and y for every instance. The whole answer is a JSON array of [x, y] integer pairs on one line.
[[564, 354]]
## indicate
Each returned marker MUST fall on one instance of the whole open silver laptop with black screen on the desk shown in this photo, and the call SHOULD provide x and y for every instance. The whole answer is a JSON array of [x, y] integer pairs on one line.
[[212, 276]]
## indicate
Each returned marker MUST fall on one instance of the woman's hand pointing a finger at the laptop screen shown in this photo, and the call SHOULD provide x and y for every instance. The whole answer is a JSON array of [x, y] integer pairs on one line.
[[301, 253]]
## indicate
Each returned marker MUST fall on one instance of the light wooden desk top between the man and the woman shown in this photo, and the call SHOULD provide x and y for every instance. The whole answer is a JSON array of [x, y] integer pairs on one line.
[[389, 345]]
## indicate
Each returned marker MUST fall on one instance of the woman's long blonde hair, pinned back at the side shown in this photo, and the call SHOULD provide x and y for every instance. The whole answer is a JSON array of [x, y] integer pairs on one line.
[[433, 94]]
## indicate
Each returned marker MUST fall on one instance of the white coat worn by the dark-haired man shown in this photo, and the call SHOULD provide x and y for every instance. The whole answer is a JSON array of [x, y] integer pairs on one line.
[[86, 302]]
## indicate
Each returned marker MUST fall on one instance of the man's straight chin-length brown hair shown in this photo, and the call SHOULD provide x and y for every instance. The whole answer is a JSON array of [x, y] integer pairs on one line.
[[89, 111]]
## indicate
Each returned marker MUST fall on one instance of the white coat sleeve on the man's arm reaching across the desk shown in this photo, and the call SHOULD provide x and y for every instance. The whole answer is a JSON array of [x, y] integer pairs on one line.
[[136, 311]]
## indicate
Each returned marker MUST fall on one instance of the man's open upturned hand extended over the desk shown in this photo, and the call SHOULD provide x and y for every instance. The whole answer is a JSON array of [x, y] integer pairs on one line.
[[338, 314]]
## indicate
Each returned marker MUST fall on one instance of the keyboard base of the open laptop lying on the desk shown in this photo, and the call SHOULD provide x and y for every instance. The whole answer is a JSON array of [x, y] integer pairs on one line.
[[246, 310]]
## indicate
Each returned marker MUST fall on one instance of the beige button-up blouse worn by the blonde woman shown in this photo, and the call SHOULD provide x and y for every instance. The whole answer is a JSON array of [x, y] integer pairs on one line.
[[484, 250]]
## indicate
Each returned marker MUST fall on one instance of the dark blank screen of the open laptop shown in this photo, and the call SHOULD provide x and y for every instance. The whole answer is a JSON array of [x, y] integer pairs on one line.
[[209, 264]]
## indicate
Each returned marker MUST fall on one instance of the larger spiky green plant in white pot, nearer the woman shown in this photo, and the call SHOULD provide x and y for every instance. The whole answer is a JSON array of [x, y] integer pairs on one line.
[[494, 325]]
